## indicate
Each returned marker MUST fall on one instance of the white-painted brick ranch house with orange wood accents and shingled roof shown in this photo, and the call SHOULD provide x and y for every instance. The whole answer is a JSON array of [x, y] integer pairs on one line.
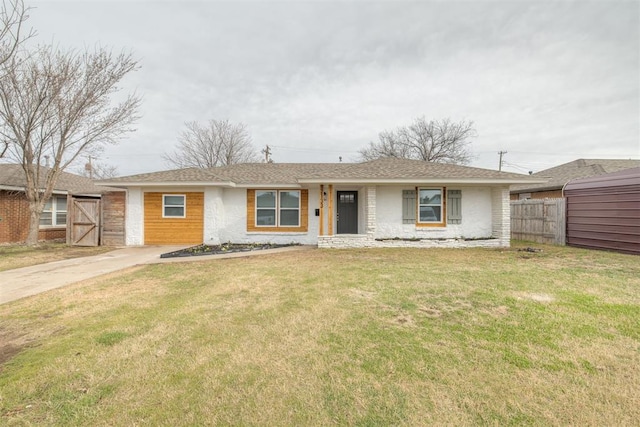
[[384, 202]]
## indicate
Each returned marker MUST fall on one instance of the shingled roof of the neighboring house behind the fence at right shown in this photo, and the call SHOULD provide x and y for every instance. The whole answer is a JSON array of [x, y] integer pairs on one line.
[[558, 176]]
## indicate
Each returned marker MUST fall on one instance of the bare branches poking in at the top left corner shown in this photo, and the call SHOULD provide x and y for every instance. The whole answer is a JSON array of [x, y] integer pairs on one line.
[[13, 14]]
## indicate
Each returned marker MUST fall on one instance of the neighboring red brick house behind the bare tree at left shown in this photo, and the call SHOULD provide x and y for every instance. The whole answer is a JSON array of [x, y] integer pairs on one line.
[[14, 207]]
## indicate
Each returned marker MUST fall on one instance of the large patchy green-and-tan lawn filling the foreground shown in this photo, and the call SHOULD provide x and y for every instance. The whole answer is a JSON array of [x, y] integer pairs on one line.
[[325, 337]]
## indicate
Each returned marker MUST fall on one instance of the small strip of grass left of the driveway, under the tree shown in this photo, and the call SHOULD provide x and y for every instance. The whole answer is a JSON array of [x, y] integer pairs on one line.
[[17, 256]]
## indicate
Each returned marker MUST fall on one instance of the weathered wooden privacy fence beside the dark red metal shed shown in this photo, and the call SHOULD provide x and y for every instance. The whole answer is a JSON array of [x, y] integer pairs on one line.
[[539, 220]]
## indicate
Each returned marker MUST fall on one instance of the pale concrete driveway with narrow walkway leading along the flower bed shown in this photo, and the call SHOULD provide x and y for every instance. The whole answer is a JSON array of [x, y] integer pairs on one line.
[[27, 281]]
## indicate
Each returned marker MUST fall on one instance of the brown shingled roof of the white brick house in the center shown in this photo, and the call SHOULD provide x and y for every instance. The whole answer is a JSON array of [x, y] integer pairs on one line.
[[386, 170]]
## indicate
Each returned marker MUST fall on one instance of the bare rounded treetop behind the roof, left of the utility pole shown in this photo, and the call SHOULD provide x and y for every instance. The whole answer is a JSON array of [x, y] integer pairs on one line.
[[219, 143]]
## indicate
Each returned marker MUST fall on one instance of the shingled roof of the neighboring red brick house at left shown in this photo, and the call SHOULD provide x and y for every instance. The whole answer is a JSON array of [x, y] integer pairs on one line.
[[12, 177]]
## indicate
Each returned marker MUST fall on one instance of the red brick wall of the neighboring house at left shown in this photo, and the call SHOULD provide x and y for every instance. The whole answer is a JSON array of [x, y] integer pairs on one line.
[[14, 220]]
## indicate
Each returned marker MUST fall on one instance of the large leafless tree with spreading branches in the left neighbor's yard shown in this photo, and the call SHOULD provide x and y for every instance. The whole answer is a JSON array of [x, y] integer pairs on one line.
[[58, 104]]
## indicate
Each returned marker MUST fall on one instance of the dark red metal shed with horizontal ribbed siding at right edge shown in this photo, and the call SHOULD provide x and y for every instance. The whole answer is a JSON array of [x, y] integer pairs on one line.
[[603, 212]]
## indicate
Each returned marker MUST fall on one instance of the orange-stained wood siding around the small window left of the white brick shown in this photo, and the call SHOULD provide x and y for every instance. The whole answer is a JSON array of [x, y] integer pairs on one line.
[[169, 231]]
